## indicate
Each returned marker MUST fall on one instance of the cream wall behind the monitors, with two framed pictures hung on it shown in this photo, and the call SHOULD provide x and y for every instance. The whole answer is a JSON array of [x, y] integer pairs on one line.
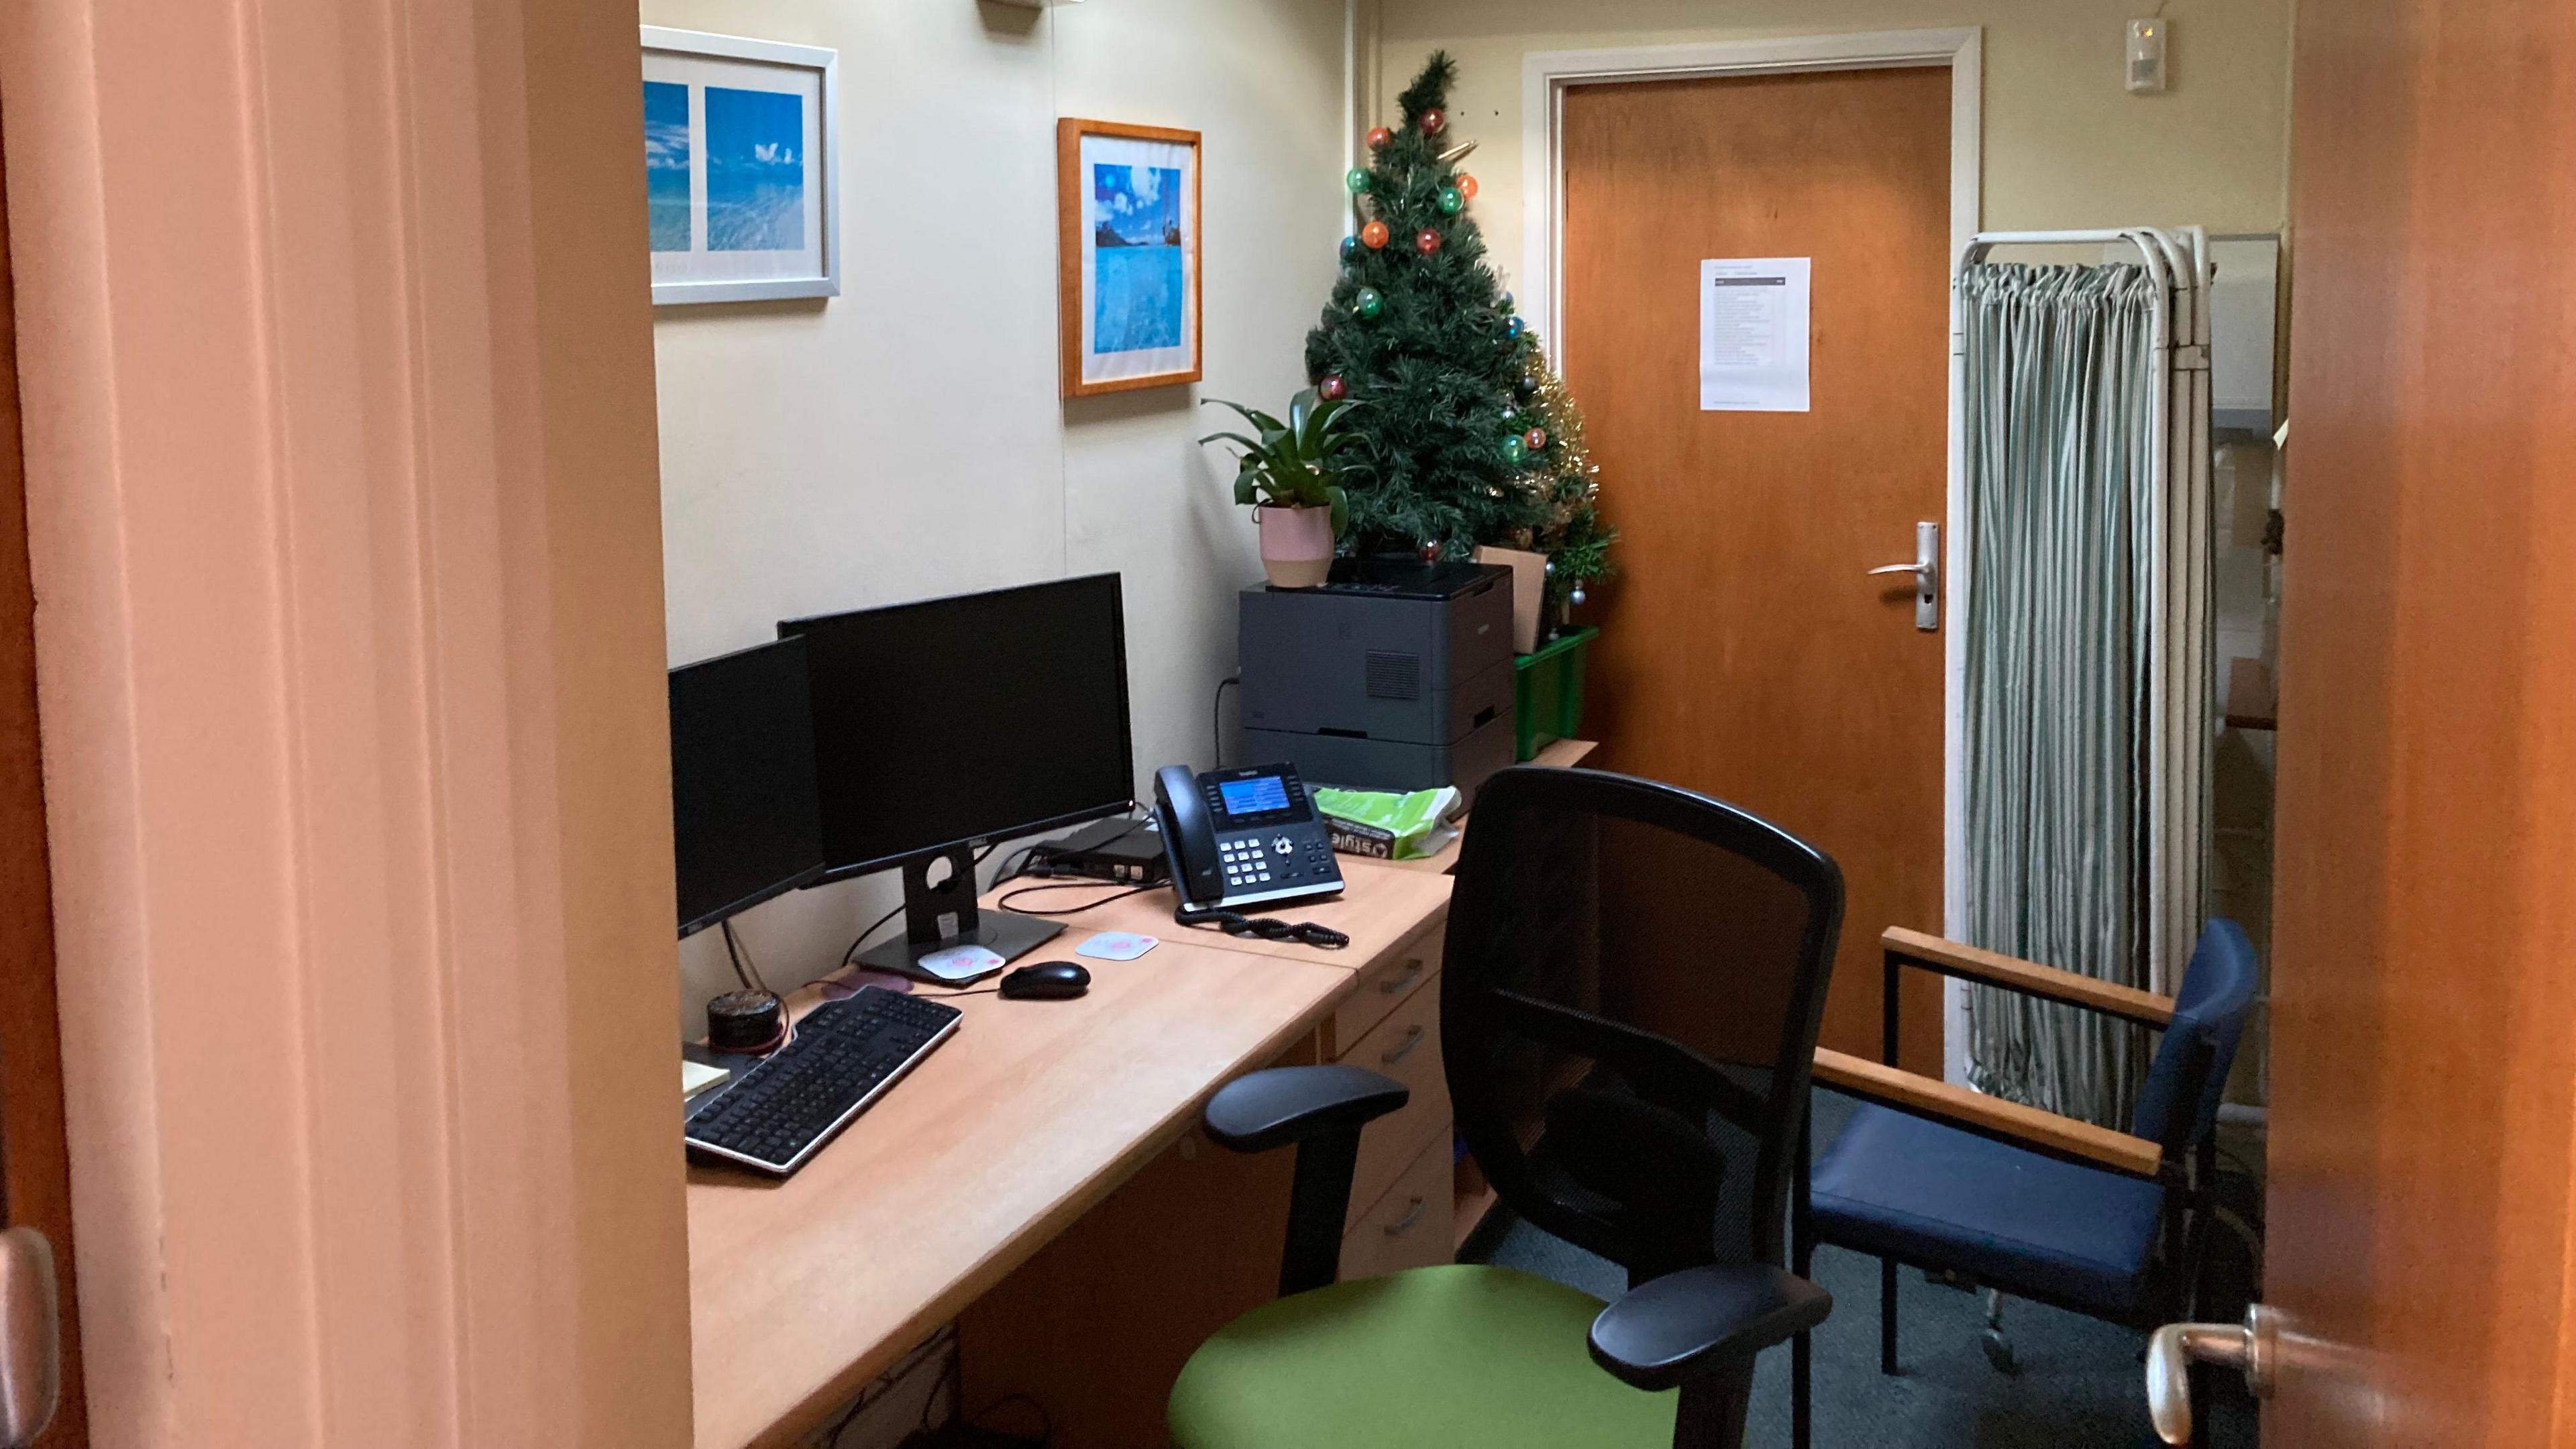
[[905, 440]]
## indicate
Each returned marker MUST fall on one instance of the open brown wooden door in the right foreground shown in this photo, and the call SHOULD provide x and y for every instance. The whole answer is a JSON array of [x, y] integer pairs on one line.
[[2425, 937]]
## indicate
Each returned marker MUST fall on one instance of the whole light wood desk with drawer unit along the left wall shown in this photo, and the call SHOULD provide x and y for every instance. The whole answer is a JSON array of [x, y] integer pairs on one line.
[[1037, 1113]]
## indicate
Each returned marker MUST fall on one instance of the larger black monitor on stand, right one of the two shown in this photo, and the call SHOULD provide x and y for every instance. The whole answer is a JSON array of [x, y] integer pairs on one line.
[[962, 721]]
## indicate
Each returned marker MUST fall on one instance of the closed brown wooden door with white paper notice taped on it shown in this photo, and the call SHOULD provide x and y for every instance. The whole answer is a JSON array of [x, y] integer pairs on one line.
[[1745, 648]]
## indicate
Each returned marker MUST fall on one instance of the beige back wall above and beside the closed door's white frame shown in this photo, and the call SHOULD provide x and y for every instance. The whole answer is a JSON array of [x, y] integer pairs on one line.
[[2065, 143]]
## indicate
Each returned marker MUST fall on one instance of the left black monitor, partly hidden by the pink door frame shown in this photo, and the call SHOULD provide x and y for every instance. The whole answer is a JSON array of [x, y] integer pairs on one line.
[[743, 803]]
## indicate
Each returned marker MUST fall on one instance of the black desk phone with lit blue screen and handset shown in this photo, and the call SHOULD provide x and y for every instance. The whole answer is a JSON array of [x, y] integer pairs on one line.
[[1243, 837]]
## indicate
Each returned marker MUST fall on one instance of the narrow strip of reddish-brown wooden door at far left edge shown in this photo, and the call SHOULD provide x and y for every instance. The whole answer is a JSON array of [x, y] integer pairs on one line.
[[35, 1167]]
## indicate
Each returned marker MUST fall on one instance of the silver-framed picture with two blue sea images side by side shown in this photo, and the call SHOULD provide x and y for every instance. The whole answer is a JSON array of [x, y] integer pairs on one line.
[[741, 184]]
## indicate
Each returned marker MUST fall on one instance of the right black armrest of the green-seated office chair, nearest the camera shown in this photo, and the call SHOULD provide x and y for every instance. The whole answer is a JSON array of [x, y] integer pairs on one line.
[[1676, 1327]]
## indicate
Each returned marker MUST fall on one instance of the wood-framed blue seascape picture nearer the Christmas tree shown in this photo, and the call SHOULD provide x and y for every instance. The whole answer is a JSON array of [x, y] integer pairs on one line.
[[1127, 251]]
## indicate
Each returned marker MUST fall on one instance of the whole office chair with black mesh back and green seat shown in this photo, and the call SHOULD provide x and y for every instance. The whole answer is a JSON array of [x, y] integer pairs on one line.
[[1634, 973]]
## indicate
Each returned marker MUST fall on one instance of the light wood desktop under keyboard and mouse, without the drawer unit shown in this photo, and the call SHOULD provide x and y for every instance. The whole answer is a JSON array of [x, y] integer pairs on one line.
[[805, 1290]]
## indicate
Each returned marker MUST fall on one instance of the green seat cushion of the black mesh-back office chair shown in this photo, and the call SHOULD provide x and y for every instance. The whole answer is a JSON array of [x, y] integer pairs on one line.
[[1410, 1363]]
